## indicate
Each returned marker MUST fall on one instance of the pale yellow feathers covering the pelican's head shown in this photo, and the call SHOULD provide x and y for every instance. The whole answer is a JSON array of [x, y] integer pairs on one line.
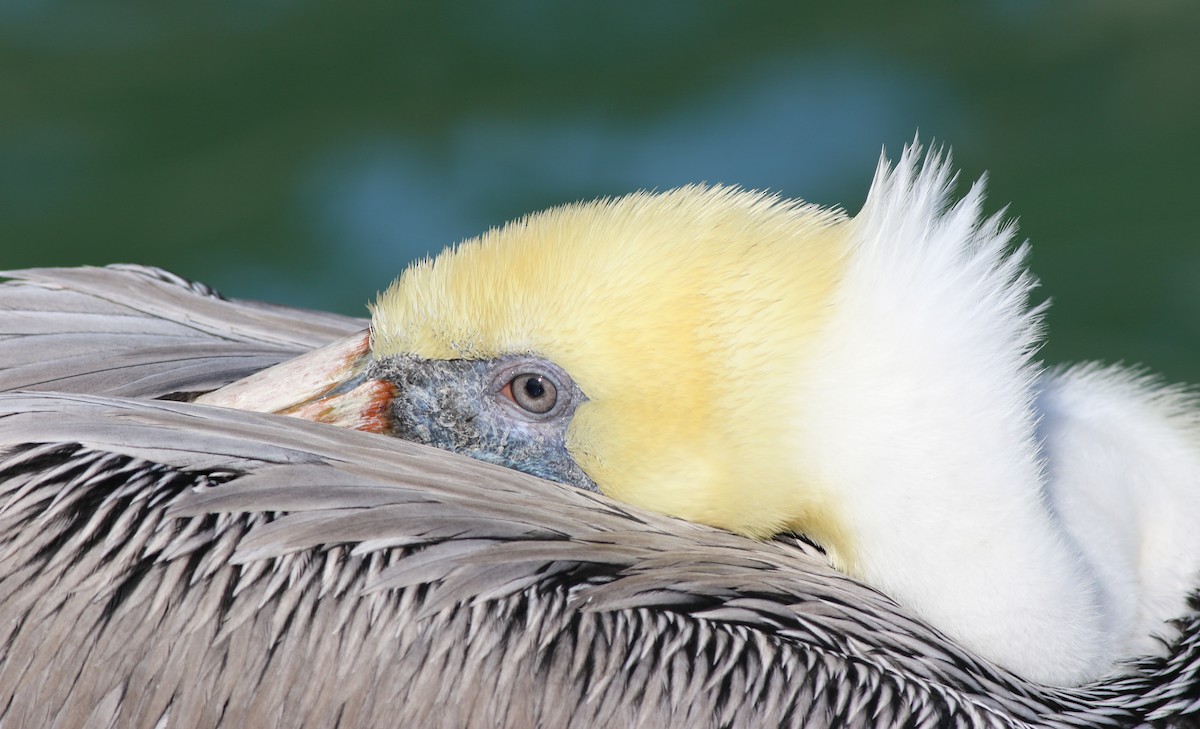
[[682, 316]]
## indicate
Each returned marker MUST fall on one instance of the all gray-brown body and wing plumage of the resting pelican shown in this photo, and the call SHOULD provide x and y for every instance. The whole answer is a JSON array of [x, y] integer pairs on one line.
[[171, 565]]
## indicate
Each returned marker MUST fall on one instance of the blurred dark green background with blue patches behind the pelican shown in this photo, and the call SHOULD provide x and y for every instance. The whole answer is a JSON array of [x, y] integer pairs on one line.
[[303, 152]]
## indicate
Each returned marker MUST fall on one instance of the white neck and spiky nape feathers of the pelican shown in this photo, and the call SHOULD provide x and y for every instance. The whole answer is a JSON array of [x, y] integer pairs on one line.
[[1046, 521]]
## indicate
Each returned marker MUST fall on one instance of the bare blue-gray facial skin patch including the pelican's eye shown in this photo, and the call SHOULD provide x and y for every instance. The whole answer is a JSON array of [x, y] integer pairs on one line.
[[513, 412]]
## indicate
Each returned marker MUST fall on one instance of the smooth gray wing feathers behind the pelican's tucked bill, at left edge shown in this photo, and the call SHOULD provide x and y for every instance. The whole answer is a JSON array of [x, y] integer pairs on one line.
[[139, 332]]
